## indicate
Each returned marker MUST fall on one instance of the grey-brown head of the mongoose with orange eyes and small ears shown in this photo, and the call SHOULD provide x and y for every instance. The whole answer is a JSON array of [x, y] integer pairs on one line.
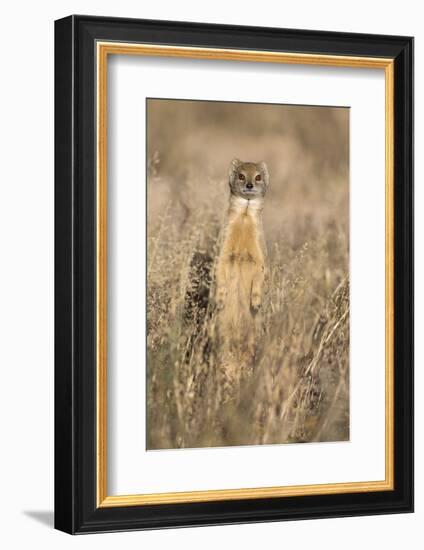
[[248, 179]]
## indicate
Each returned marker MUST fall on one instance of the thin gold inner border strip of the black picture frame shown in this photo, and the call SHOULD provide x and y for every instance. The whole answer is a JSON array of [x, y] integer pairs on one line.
[[103, 50]]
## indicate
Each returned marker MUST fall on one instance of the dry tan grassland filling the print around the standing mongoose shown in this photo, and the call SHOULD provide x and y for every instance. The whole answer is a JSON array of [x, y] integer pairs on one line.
[[299, 388]]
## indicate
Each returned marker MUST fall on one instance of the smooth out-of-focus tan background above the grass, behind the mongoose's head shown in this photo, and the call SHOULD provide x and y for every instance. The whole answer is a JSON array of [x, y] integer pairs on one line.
[[191, 143]]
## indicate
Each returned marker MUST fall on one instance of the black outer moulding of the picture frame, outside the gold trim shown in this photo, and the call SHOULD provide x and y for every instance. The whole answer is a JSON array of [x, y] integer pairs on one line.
[[76, 510]]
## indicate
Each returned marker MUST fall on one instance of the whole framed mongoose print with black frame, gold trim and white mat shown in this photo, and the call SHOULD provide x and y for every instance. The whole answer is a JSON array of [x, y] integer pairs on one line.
[[234, 274]]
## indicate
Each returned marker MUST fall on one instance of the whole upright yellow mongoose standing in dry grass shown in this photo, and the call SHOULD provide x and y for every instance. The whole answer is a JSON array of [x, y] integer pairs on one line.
[[241, 265]]
